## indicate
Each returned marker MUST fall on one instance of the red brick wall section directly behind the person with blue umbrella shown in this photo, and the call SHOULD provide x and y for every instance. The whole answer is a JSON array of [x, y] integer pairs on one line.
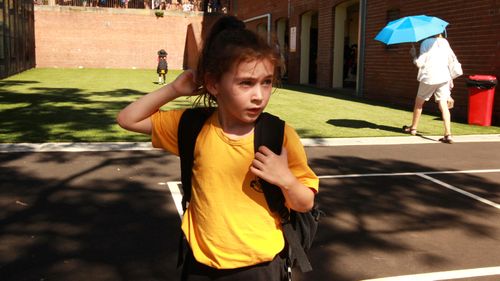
[[472, 33]]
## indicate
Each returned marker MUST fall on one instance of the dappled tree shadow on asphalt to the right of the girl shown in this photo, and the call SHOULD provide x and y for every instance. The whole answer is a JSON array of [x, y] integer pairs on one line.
[[370, 215]]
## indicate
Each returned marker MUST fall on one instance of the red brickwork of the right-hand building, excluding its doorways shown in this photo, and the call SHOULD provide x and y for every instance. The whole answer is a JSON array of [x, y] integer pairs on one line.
[[390, 76]]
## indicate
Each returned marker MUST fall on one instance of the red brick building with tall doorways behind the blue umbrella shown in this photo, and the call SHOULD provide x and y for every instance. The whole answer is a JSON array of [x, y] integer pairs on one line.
[[314, 35]]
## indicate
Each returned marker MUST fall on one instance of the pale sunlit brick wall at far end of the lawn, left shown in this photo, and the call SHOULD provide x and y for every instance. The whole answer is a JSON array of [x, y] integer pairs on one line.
[[115, 38]]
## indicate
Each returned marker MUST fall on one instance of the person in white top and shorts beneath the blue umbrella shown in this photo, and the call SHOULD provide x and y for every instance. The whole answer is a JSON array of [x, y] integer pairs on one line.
[[434, 80]]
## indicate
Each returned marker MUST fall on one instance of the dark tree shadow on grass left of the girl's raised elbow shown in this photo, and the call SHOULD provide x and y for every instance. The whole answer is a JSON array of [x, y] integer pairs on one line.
[[38, 116]]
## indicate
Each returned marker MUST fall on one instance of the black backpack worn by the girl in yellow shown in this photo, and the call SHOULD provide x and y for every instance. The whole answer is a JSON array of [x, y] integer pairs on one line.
[[299, 228]]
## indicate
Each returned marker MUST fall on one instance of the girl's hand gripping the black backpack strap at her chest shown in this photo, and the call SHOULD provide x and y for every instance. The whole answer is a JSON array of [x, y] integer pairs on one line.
[[272, 168]]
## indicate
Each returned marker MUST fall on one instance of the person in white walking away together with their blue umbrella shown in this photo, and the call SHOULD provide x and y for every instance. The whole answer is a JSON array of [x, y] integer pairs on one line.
[[433, 64]]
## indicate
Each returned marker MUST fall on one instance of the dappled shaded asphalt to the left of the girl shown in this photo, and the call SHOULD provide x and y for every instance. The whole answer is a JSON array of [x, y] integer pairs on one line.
[[86, 216]]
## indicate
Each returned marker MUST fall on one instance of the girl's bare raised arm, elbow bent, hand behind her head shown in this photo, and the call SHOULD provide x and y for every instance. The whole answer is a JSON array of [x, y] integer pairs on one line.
[[136, 116]]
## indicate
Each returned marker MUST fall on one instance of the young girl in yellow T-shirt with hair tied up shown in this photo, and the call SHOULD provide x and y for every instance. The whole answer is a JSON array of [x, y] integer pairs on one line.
[[231, 232]]
